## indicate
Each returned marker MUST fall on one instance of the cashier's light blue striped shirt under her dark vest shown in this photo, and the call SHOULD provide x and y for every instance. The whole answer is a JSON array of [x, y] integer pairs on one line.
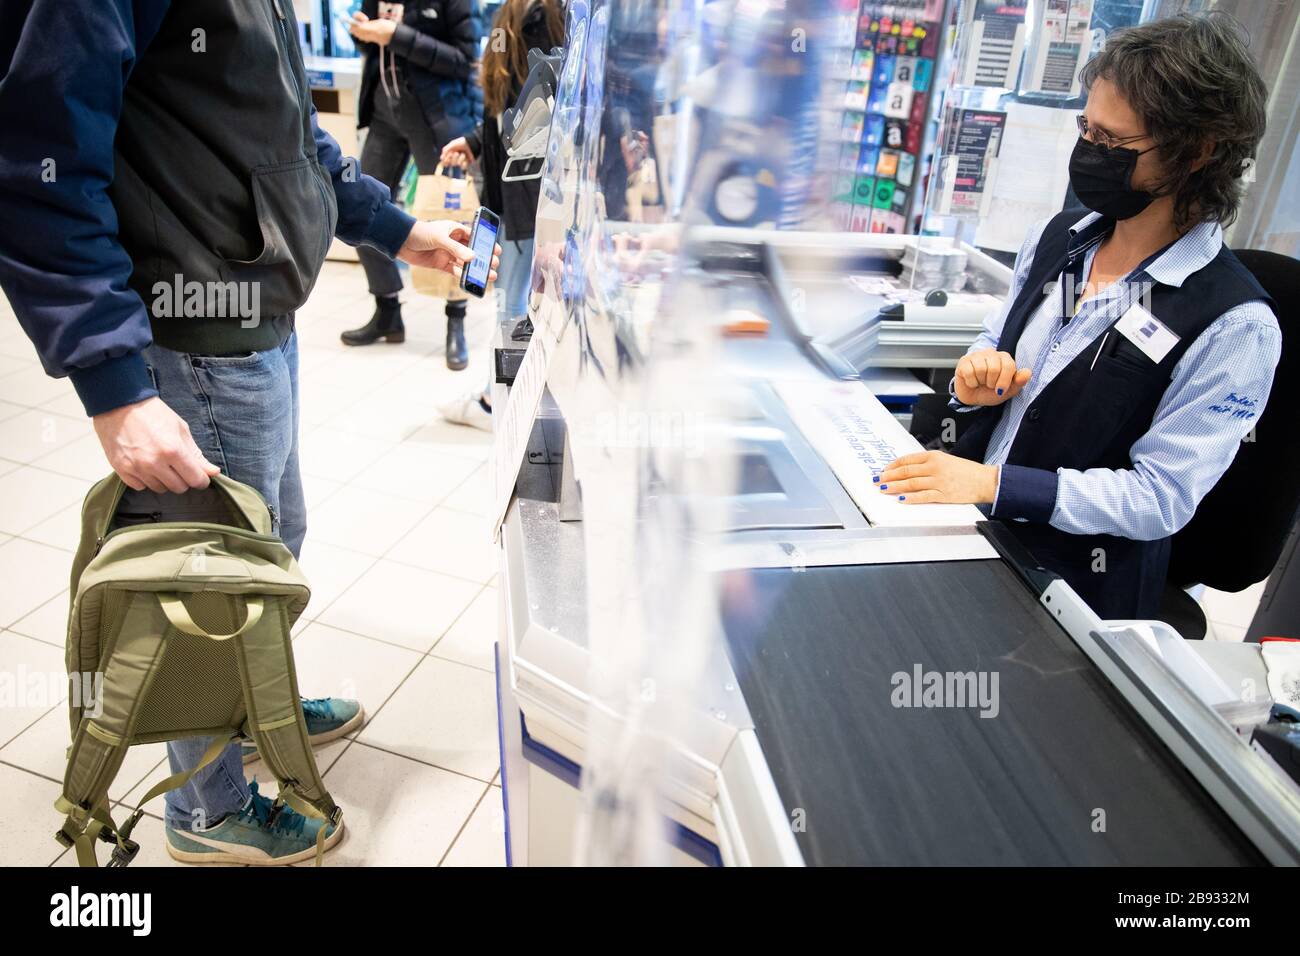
[[1217, 391]]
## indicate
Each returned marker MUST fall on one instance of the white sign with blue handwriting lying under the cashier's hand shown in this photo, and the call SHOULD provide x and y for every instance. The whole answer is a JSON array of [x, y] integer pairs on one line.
[[859, 438]]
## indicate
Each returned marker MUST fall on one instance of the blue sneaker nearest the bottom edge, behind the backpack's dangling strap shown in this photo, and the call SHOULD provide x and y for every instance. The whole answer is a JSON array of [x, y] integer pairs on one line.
[[259, 836]]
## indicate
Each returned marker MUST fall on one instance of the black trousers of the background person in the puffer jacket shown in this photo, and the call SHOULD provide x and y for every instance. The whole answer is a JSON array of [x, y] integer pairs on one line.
[[397, 133]]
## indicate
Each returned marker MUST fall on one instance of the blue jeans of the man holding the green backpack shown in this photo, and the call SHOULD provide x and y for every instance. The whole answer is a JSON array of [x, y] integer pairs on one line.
[[242, 412]]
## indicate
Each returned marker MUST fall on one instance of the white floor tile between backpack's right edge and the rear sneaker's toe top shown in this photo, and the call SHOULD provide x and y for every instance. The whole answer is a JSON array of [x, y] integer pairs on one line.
[[340, 664]]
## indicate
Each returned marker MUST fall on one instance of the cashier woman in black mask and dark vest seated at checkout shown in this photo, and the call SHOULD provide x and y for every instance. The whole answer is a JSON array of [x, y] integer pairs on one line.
[[1136, 352]]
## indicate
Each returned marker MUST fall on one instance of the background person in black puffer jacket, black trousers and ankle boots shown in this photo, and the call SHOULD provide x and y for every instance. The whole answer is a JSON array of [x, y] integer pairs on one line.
[[417, 96]]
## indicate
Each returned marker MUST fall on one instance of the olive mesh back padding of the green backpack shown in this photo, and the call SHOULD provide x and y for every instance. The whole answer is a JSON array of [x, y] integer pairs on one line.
[[198, 684]]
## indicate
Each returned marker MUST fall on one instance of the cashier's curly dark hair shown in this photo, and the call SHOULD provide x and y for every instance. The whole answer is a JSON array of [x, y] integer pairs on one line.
[[1191, 79]]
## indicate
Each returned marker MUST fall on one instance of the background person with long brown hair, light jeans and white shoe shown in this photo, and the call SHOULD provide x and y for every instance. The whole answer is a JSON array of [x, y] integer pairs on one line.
[[523, 25]]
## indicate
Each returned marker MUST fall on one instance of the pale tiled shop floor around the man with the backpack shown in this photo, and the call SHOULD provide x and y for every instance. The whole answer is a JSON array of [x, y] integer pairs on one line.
[[404, 590]]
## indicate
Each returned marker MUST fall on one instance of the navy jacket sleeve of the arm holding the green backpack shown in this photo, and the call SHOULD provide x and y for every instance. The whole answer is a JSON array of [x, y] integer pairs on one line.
[[62, 265]]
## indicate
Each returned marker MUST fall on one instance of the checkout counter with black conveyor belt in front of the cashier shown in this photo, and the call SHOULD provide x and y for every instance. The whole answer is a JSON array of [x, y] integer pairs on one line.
[[812, 741]]
